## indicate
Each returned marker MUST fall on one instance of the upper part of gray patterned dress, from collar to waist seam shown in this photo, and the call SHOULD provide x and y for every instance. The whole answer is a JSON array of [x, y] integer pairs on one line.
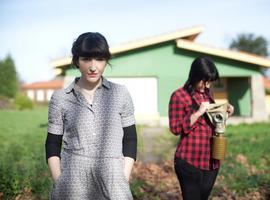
[[92, 130]]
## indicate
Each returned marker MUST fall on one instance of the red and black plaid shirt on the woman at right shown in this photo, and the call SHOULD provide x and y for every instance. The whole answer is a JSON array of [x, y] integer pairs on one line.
[[195, 142]]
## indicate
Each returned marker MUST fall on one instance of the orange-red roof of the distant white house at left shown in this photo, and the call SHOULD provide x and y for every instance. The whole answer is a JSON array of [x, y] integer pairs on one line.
[[53, 84]]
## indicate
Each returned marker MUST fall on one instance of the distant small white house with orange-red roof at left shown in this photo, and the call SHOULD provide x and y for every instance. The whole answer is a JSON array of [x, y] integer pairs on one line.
[[41, 92]]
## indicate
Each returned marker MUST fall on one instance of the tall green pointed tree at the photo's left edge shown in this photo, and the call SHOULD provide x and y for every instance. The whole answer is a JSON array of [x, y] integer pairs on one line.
[[8, 78]]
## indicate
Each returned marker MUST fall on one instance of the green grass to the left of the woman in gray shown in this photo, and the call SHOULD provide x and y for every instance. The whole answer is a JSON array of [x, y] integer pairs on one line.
[[22, 158]]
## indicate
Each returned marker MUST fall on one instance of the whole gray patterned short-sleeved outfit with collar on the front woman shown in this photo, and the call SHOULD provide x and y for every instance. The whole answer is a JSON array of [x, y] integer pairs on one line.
[[92, 163]]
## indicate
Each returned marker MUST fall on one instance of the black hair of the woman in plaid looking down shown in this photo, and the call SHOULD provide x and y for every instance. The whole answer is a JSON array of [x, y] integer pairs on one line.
[[201, 69]]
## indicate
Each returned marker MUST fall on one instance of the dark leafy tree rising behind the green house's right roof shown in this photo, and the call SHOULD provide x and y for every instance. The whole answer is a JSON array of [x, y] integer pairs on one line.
[[250, 43]]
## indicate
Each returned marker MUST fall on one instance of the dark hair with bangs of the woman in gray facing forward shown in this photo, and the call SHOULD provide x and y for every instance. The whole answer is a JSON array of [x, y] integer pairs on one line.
[[92, 45]]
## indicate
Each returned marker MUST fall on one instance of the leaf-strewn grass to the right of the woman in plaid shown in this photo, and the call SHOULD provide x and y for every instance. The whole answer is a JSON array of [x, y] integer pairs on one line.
[[247, 165]]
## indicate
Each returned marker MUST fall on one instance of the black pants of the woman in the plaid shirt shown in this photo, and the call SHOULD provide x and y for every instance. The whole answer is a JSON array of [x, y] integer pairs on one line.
[[196, 184]]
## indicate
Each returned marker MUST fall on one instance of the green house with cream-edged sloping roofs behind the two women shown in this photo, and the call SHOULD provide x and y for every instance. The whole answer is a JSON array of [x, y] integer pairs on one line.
[[154, 67]]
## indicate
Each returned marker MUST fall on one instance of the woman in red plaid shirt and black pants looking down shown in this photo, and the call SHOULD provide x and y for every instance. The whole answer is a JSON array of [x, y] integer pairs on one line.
[[195, 169]]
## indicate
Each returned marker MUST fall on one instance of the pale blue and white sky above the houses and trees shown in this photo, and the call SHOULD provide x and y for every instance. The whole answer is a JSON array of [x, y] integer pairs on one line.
[[36, 32]]
